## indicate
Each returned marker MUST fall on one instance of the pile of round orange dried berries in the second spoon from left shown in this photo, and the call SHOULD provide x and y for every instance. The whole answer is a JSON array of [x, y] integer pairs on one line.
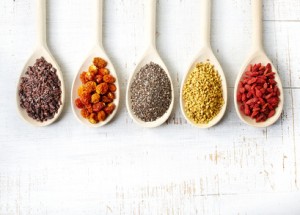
[[97, 92]]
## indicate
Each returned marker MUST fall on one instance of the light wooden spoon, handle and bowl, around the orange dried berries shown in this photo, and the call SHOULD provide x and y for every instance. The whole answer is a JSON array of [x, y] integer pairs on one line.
[[97, 51]]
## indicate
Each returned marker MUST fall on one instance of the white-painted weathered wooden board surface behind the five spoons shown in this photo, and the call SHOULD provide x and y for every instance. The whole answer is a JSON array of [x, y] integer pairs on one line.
[[121, 168]]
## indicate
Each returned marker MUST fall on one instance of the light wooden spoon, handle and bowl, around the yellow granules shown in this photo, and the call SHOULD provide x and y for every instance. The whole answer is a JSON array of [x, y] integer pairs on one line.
[[205, 55]]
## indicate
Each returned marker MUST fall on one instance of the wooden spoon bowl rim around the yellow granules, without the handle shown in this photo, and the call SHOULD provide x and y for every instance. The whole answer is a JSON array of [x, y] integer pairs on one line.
[[205, 55]]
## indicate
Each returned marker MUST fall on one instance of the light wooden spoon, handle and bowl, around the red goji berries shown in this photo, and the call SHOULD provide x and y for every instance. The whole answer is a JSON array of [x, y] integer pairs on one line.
[[258, 55]]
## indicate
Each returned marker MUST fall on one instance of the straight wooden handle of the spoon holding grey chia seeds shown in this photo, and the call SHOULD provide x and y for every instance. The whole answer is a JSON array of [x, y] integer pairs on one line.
[[150, 10]]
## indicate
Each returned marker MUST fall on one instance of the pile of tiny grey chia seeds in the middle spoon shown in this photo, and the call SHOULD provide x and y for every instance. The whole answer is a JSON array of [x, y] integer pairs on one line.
[[151, 93]]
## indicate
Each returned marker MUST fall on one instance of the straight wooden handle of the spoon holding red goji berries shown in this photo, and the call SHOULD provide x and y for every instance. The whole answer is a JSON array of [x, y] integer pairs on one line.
[[257, 24]]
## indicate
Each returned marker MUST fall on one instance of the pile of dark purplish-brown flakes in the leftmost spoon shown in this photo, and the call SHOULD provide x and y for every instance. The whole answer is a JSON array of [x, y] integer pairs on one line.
[[40, 91]]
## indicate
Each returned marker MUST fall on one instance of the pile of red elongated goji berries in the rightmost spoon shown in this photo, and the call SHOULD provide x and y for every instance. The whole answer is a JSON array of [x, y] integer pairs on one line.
[[258, 93]]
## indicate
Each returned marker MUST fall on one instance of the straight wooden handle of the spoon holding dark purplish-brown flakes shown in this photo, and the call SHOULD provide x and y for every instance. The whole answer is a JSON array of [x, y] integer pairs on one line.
[[41, 23]]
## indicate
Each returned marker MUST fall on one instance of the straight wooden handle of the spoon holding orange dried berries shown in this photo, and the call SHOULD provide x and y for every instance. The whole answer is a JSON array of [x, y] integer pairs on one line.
[[98, 22]]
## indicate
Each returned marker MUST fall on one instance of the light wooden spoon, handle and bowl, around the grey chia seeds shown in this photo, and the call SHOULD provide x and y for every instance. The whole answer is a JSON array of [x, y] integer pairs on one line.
[[150, 55]]
